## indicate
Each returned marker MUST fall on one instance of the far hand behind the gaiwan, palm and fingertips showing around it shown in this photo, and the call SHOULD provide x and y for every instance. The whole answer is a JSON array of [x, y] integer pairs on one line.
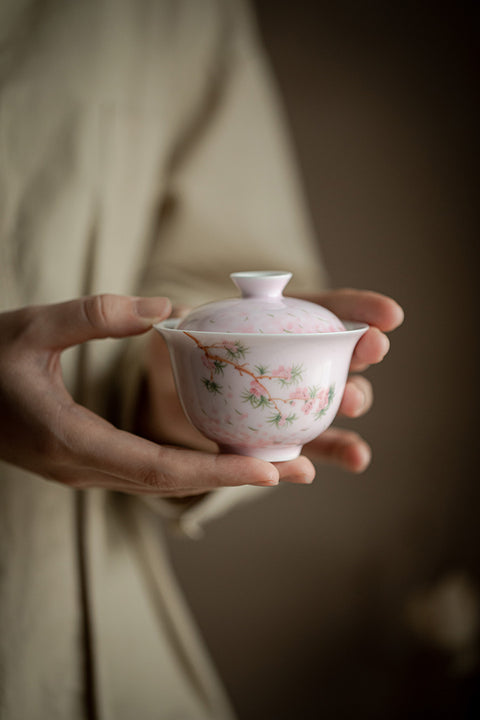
[[164, 420]]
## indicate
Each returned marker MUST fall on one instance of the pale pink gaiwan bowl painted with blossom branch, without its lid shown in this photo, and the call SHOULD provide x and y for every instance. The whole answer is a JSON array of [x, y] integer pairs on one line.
[[259, 394]]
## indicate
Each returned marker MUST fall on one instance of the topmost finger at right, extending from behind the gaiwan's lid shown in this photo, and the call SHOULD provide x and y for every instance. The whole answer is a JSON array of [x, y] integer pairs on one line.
[[364, 306]]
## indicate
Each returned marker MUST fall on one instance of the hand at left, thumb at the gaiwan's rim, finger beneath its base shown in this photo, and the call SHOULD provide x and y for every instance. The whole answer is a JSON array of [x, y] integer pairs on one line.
[[43, 430]]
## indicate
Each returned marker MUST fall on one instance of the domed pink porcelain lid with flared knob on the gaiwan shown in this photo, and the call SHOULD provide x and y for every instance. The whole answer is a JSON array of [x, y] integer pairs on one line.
[[262, 308]]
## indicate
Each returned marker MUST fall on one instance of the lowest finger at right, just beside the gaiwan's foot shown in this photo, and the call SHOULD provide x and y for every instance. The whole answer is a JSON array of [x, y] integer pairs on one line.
[[342, 448]]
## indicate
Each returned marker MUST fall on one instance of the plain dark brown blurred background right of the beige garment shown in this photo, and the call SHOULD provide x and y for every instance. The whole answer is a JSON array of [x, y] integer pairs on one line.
[[302, 597]]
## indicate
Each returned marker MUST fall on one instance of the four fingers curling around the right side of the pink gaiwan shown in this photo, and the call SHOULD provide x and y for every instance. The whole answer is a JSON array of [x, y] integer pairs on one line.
[[343, 447]]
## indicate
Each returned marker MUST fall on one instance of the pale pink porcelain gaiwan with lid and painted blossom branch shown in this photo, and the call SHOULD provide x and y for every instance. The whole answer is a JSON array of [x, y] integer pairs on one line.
[[261, 374]]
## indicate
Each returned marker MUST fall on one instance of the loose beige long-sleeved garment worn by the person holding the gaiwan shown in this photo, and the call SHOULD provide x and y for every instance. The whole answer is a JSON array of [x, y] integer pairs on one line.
[[141, 152]]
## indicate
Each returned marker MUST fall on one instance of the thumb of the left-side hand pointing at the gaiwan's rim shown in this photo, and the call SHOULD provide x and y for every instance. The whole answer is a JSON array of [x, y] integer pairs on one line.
[[97, 316]]
